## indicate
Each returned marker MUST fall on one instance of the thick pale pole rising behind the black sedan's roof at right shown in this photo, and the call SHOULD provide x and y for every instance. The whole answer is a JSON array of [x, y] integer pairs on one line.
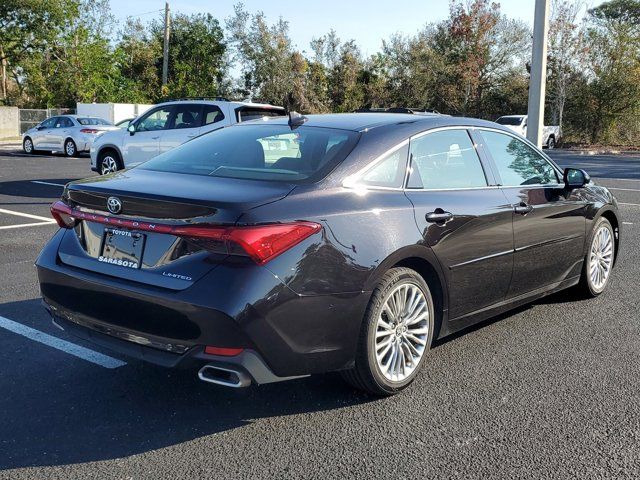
[[538, 82]]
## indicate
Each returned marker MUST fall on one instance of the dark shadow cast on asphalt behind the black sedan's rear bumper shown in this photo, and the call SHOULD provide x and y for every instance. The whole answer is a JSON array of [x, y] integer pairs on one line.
[[56, 409]]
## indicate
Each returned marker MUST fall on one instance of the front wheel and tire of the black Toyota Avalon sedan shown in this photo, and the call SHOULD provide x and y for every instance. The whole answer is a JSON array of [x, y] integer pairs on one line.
[[598, 262]]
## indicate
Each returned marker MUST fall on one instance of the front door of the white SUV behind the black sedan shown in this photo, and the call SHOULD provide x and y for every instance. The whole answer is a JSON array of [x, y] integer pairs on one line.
[[144, 143]]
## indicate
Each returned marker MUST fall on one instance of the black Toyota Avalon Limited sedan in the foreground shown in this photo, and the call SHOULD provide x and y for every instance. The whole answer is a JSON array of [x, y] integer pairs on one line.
[[286, 247]]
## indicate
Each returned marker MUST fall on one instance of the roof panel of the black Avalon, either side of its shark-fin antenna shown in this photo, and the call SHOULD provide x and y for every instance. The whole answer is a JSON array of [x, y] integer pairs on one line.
[[361, 122]]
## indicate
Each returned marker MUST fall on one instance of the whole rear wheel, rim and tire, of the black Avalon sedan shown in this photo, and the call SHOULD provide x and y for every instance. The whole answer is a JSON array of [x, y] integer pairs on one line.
[[396, 334]]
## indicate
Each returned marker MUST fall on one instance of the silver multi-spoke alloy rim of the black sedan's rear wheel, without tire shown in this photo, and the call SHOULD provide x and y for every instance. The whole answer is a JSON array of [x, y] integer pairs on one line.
[[401, 333]]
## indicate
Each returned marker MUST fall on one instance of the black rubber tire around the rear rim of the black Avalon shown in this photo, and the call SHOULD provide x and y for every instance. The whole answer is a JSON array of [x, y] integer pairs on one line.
[[366, 375]]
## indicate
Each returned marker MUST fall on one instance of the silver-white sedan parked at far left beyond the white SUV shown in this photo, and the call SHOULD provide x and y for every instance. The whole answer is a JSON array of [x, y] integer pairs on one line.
[[70, 134]]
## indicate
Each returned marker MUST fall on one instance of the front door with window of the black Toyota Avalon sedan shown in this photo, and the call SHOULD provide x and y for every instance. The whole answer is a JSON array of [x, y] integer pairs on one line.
[[548, 221]]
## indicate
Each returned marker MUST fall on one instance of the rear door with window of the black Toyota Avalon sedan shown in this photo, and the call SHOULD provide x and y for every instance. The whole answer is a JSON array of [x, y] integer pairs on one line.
[[463, 217]]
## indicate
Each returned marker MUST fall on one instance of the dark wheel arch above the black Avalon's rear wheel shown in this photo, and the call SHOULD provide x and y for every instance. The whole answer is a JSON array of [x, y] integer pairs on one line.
[[422, 260]]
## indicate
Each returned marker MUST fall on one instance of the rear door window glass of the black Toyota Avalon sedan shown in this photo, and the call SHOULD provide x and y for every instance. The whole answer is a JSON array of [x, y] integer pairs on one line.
[[443, 160]]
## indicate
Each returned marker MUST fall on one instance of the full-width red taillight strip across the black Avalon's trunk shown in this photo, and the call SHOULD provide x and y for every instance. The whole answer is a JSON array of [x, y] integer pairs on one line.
[[260, 242]]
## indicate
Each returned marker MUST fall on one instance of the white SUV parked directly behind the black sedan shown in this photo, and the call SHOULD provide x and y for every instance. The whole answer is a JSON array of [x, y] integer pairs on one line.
[[167, 125]]
